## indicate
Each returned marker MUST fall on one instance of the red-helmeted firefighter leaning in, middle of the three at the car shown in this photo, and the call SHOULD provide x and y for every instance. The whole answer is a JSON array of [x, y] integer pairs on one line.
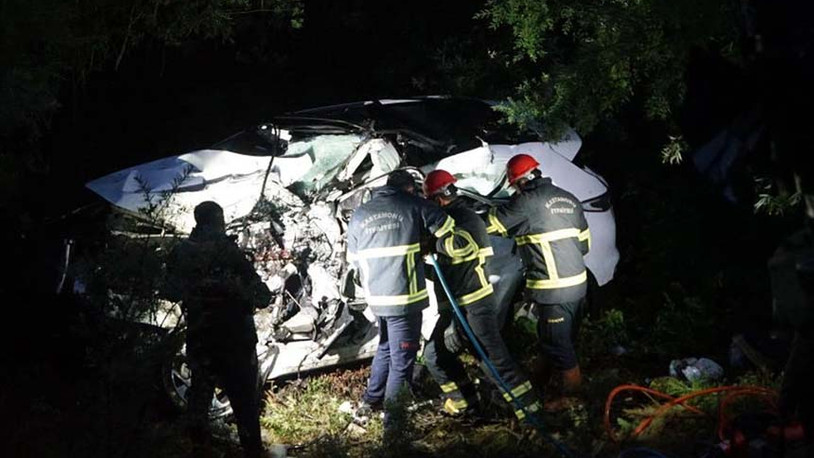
[[466, 271]]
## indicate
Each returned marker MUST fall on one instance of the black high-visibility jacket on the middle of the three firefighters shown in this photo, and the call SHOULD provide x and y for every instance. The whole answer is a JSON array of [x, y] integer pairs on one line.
[[466, 268]]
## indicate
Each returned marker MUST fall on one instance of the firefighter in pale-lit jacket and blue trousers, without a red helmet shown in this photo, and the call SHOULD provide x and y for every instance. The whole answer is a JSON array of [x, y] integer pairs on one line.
[[385, 244]]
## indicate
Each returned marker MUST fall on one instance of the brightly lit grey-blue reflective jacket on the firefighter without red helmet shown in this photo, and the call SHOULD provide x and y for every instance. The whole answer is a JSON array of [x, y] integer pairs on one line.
[[384, 242]]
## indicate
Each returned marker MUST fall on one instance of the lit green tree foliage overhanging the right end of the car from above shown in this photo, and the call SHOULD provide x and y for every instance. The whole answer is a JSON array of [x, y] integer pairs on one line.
[[576, 63]]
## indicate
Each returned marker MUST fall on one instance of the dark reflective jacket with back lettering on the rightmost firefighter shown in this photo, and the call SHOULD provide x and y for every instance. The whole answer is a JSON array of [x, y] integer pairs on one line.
[[552, 236]]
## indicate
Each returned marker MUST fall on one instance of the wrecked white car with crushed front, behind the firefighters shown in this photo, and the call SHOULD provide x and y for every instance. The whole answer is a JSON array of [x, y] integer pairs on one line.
[[288, 187]]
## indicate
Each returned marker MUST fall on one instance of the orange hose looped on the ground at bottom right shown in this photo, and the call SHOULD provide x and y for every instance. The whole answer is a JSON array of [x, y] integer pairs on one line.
[[673, 401]]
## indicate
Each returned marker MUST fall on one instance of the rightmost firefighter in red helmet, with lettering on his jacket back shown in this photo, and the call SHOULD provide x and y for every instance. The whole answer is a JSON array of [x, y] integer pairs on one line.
[[552, 236]]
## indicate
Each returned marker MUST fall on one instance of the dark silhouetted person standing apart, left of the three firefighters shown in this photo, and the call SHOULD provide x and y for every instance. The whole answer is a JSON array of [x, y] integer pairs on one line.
[[219, 290]]
